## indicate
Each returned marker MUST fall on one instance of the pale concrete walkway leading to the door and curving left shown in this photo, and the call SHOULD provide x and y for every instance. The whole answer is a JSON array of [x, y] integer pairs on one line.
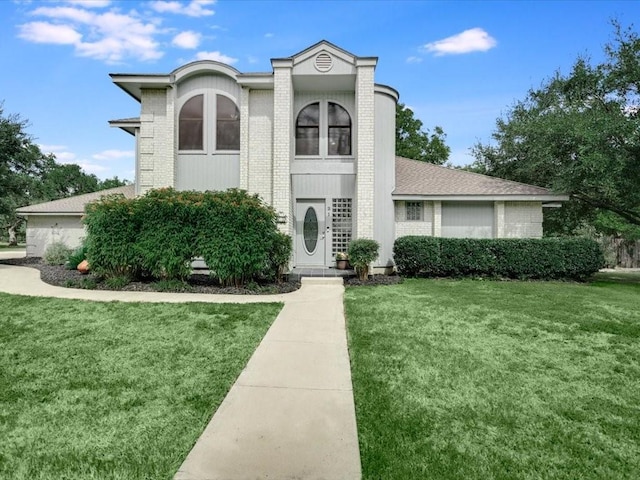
[[290, 413]]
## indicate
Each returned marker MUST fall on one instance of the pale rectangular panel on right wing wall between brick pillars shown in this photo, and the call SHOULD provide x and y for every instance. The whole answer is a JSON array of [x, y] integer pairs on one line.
[[467, 220]]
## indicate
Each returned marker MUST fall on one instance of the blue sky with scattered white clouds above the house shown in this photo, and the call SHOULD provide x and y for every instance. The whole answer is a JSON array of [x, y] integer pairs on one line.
[[457, 64]]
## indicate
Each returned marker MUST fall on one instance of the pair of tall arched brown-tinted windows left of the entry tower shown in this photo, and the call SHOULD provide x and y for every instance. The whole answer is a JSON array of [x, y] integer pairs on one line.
[[209, 123]]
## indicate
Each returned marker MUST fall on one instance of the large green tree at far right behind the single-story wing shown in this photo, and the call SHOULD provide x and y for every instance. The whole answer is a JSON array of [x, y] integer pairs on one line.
[[578, 134]]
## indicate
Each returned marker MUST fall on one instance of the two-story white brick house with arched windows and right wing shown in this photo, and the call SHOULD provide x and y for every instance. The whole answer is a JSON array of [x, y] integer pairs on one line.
[[315, 138]]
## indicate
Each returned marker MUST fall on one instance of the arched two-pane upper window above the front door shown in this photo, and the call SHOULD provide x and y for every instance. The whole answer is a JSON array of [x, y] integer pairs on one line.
[[323, 124]]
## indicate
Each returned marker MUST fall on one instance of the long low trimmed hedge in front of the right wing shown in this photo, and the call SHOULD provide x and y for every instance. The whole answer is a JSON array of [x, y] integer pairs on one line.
[[545, 258]]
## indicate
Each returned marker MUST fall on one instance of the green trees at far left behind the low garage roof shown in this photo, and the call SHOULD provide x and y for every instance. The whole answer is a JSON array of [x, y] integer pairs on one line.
[[29, 176]]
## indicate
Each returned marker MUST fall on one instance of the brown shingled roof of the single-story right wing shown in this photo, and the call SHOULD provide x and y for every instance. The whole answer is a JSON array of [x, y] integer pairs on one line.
[[416, 179]]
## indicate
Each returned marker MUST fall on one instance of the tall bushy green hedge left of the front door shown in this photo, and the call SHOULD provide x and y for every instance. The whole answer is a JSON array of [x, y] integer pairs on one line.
[[160, 233]]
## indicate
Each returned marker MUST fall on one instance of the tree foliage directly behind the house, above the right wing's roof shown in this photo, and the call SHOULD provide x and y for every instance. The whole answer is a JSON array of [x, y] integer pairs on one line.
[[412, 142]]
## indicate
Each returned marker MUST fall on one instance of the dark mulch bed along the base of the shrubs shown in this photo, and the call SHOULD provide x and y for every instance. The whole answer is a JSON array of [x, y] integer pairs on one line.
[[197, 283]]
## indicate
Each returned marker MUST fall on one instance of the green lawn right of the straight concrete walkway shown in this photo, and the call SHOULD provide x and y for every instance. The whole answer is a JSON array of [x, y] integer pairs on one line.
[[497, 380]]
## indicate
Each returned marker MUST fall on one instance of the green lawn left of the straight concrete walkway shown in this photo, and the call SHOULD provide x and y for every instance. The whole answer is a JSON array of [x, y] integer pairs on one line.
[[95, 390]]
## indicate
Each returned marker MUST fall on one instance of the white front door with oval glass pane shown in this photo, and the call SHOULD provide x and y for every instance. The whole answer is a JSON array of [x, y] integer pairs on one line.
[[311, 235]]
